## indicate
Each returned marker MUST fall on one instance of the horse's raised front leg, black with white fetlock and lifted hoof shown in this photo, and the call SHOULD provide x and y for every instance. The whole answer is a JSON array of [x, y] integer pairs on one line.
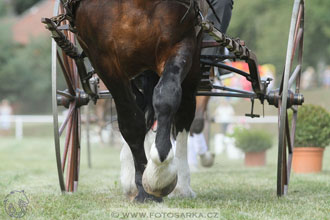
[[161, 174]]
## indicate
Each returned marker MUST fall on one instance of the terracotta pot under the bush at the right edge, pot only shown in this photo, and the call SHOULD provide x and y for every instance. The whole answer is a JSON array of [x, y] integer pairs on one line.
[[307, 159]]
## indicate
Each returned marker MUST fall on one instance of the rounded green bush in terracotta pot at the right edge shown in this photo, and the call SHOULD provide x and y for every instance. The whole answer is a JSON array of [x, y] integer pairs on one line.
[[312, 136]]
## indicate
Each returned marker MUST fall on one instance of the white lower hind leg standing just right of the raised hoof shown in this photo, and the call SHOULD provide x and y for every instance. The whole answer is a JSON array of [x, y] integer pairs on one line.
[[182, 188]]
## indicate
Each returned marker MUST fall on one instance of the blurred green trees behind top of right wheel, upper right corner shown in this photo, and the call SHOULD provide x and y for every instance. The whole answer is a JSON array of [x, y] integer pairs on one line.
[[264, 25]]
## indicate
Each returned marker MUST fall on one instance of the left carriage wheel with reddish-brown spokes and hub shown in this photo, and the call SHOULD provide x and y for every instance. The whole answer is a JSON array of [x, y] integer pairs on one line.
[[71, 98]]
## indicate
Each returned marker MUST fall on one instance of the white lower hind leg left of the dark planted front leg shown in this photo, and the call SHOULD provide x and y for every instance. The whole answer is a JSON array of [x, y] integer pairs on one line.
[[127, 172]]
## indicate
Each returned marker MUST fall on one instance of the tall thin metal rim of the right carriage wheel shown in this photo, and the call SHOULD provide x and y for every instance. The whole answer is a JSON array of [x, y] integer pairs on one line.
[[285, 135]]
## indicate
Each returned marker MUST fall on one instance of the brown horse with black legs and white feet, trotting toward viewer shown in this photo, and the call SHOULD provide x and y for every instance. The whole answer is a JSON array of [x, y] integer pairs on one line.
[[124, 39]]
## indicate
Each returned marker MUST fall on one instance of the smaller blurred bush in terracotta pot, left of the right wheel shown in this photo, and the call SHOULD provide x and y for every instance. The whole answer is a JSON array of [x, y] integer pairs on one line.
[[254, 144]]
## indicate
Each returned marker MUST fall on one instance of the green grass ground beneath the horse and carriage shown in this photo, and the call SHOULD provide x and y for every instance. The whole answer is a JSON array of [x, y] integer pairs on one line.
[[228, 190]]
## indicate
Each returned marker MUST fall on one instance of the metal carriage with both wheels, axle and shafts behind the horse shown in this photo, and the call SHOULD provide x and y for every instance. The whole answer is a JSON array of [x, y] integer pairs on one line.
[[82, 87]]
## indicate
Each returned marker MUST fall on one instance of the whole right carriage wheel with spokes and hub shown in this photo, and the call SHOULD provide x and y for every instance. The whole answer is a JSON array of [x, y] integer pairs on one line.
[[289, 97]]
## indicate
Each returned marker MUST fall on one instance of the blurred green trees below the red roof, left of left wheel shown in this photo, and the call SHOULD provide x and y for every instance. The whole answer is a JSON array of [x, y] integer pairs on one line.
[[25, 74]]
